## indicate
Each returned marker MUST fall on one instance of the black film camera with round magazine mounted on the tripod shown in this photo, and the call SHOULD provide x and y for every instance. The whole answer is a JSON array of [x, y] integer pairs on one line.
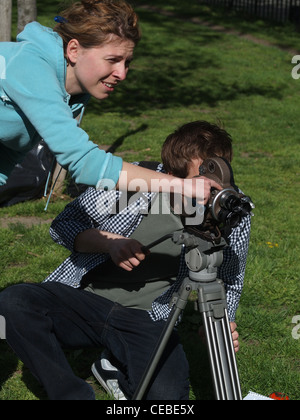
[[226, 208]]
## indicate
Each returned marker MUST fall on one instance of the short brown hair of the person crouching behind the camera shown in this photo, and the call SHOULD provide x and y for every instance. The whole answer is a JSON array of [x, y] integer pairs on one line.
[[198, 139]]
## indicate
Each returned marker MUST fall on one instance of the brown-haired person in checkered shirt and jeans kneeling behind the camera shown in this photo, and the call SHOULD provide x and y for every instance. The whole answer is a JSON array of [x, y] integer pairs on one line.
[[109, 293]]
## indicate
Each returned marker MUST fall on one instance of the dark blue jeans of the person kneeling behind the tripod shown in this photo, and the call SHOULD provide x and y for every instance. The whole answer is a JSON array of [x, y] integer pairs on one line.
[[44, 319]]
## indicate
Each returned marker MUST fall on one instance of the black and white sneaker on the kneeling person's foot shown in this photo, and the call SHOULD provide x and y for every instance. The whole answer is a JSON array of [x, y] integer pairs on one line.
[[105, 373]]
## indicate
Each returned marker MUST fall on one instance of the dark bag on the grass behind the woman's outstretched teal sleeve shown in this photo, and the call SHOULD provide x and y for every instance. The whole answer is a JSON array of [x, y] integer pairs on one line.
[[28, 179]]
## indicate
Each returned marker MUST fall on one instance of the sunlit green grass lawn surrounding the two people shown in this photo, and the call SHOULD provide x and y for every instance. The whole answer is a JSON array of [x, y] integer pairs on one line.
[[185, 71]]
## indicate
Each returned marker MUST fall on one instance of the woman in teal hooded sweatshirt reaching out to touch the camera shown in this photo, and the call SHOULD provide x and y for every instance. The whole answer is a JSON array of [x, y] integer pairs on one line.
[[47, 78]]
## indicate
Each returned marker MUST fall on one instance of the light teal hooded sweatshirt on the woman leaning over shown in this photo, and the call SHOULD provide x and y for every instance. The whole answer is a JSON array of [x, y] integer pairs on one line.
[[35, 105]]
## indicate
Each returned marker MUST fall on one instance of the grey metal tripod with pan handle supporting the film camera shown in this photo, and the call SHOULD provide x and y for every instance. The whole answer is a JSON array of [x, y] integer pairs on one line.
[[203, 259]]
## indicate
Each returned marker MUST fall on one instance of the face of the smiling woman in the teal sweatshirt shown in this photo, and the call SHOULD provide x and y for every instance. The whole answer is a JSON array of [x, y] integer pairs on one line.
[[97, 71]]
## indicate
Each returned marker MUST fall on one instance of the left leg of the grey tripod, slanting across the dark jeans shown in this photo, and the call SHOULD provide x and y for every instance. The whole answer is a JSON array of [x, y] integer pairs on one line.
[[163, 341]]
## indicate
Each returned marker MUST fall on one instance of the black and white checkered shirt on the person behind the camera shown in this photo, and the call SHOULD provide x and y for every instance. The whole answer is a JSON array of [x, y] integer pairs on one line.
[[103, 210]]
